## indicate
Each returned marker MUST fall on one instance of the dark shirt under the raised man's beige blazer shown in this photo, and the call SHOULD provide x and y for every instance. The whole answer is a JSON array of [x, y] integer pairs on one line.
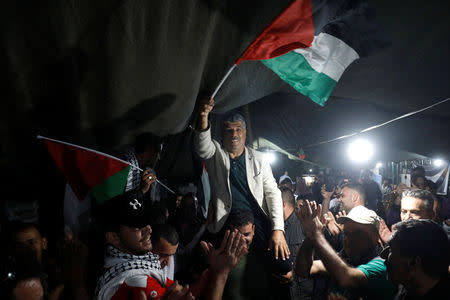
[[241, 196]]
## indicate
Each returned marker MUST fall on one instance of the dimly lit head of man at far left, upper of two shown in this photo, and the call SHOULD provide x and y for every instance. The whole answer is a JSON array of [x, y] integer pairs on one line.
[[25, 238]]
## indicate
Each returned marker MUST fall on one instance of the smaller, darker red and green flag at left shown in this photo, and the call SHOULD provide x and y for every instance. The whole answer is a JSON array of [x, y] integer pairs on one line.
[[88, 171]]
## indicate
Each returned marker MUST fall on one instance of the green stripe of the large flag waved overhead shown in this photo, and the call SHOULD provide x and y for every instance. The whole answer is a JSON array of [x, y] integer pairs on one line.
[[293, 68]]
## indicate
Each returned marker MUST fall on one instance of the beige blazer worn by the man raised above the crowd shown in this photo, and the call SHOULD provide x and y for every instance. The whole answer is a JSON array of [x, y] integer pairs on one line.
[[260, 180]]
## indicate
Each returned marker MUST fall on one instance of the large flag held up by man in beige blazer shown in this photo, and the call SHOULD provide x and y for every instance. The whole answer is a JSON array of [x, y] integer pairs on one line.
[[311, 43]]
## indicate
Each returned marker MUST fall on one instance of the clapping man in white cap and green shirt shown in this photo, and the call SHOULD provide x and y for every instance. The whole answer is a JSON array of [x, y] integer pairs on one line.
[[357, 270]]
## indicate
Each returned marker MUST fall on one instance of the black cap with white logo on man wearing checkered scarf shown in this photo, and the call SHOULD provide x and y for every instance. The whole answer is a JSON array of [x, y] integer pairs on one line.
[[124, 209]]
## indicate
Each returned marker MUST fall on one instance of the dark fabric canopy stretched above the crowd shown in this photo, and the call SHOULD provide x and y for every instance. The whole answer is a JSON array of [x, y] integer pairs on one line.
[[96, 73]]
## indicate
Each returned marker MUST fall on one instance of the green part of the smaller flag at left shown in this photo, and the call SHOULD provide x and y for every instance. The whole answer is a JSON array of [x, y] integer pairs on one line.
[[111, 187]]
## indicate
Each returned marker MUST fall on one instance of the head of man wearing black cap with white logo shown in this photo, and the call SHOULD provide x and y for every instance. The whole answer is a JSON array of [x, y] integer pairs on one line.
[[127, 225]]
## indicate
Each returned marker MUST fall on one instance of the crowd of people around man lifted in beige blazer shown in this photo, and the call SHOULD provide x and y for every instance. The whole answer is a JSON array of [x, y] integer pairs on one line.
[[260, 239]]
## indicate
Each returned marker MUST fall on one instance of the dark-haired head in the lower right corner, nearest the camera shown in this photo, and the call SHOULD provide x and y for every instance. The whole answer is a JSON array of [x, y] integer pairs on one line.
[[417, 249]]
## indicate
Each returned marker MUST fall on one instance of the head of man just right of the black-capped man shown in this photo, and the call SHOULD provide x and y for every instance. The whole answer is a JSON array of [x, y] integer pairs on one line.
[[165, 243]]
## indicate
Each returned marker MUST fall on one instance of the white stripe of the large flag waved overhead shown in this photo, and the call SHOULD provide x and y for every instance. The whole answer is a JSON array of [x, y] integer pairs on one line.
[[329, 55]]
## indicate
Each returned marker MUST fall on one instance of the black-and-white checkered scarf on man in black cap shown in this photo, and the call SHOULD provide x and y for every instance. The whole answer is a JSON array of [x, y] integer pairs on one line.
[[120, 266]]
